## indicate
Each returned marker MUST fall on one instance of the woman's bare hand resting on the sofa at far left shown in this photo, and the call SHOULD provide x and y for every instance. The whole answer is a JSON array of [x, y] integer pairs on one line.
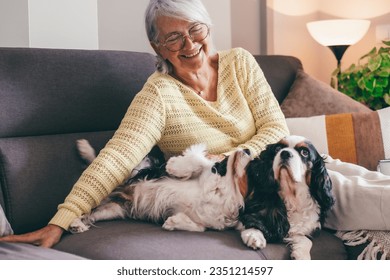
[[47, 236]]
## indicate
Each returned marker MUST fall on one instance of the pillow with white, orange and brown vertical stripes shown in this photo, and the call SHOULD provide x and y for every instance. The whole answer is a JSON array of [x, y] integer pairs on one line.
[[361, 138]]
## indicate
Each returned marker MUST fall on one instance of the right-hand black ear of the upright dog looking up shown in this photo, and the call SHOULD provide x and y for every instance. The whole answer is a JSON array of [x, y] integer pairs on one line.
[[321, 185]]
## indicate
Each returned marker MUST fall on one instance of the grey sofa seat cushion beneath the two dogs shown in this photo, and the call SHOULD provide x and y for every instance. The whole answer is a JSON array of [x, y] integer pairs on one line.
[[126, 239]]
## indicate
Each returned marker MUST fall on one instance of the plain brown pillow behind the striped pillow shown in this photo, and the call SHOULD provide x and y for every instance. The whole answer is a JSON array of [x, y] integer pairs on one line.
[[311, 97]]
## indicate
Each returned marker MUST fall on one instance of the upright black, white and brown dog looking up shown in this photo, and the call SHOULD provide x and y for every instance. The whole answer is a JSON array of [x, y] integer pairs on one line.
[[289, 194]]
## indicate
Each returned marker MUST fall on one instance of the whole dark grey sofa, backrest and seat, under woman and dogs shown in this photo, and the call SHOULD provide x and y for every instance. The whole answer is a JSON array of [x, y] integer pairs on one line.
[[49, 99]]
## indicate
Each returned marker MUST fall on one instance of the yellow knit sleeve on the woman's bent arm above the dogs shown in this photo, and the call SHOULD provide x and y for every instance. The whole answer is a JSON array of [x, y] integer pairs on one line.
[[269, 120]]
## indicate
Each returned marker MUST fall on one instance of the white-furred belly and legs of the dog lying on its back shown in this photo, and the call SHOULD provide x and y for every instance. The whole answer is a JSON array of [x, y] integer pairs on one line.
[[198, 199]]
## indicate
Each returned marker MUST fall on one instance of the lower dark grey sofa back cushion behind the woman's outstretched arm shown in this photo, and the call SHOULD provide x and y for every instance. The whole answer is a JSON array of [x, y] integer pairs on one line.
[[37, 174]]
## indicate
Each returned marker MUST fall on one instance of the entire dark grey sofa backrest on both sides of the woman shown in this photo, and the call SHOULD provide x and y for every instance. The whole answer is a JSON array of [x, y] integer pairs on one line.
[[49, 98]]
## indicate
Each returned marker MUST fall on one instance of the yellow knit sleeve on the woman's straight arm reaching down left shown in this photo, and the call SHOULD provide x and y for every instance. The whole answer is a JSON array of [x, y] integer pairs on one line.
[[139, 131]]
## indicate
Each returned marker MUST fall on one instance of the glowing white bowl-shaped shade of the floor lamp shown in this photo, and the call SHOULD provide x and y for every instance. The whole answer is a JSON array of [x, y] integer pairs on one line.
[[338, 32]]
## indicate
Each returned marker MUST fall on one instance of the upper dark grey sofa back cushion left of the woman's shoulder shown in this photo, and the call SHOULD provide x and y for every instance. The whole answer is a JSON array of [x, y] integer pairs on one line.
[[50, 91]]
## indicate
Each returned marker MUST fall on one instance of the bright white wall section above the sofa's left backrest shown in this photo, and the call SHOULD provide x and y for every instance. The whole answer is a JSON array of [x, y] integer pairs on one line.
[[63, 24]]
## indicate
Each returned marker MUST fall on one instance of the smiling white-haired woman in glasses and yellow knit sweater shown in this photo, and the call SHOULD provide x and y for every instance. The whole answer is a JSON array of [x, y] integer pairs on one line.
[[196, 95]]
